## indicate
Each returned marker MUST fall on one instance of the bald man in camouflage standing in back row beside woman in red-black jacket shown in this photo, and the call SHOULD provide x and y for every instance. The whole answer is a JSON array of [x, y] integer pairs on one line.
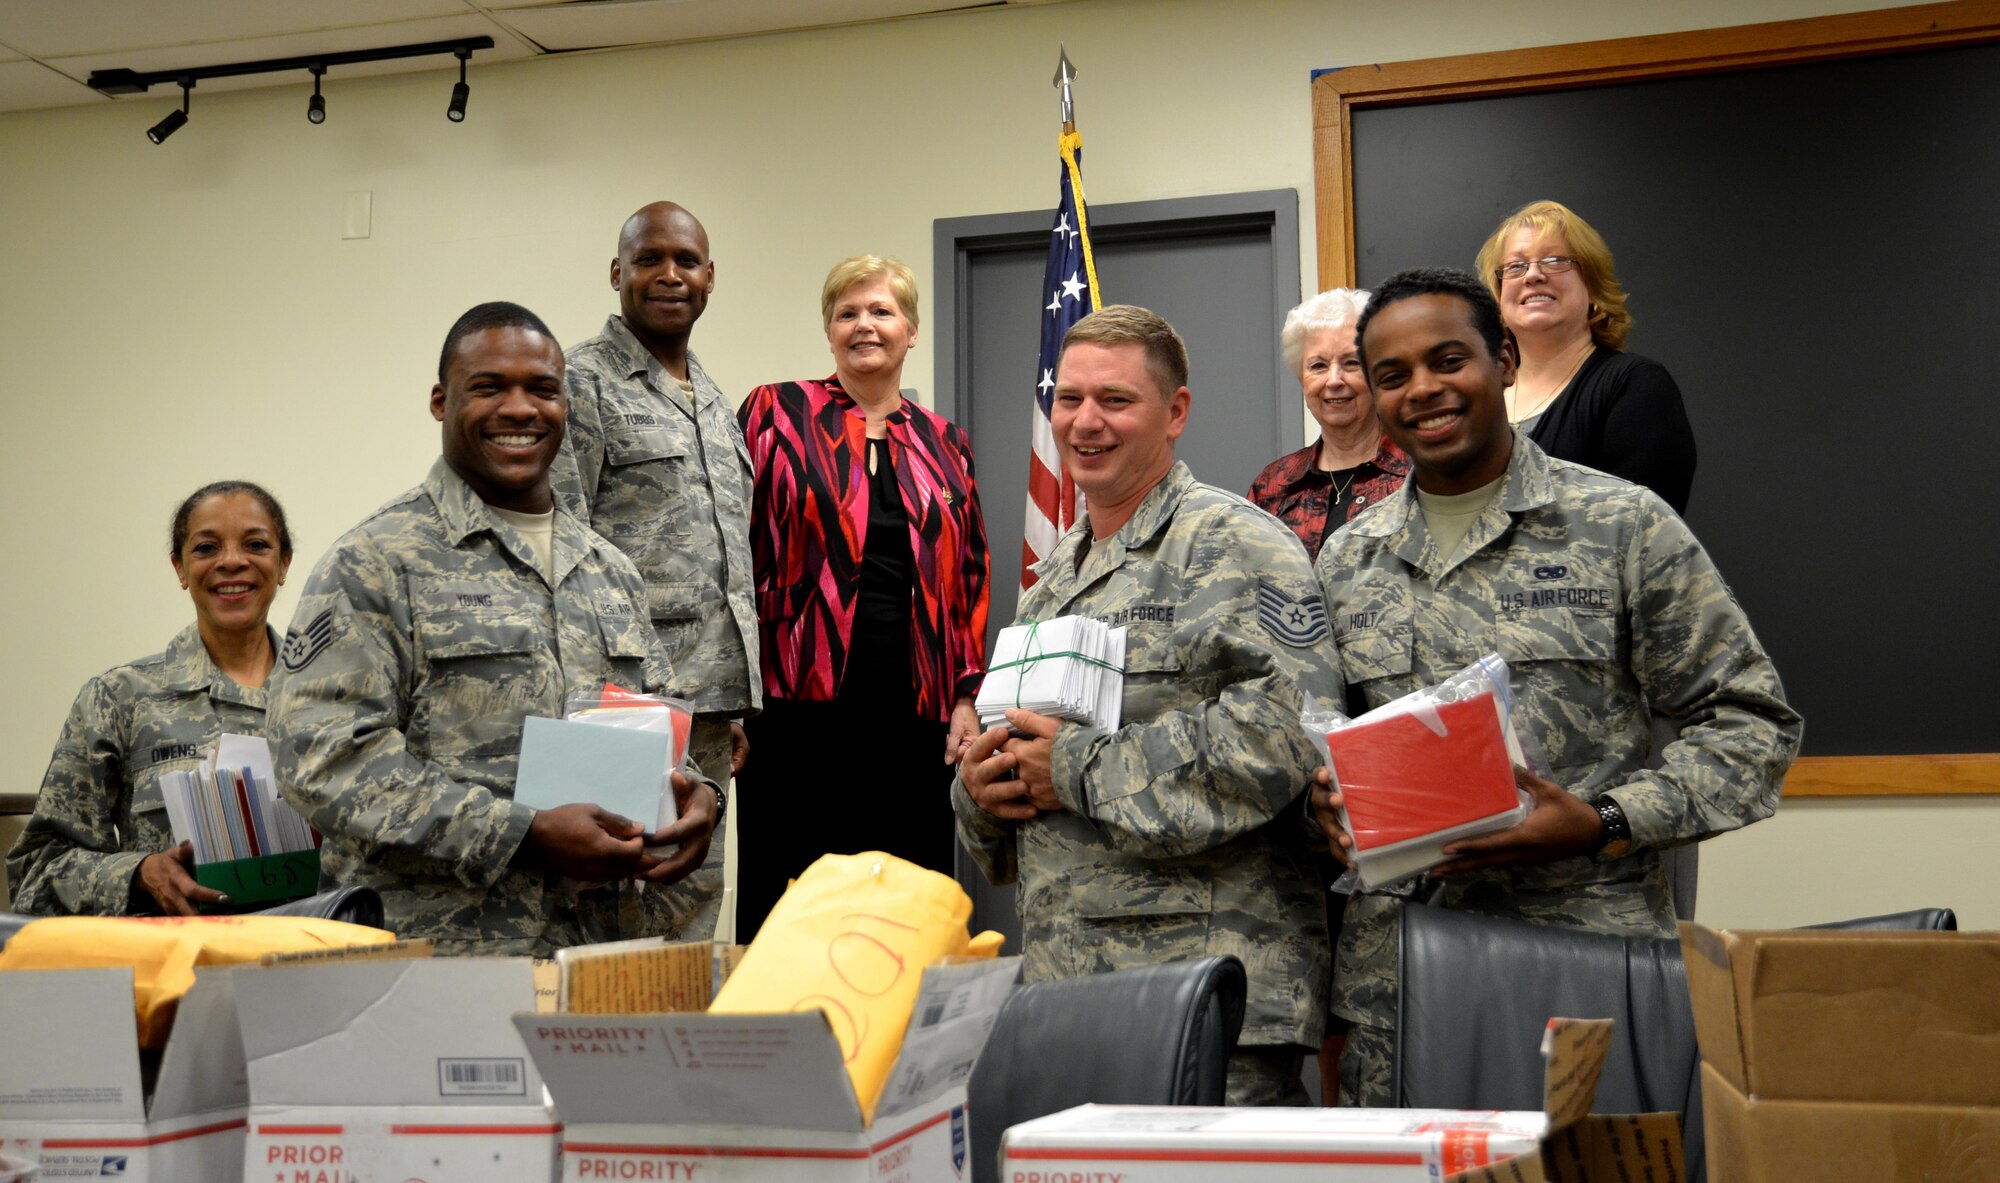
[[657, 465]]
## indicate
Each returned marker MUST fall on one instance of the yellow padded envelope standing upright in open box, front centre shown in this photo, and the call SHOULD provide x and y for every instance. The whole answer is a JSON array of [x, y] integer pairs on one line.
[[853, 938]]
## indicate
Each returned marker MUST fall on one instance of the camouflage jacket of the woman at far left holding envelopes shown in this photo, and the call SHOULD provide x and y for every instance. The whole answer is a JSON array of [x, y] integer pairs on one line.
[[101, 812]]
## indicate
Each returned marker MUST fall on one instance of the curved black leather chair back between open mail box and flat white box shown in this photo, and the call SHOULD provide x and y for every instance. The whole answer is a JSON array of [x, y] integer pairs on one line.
[[1155, 1036]]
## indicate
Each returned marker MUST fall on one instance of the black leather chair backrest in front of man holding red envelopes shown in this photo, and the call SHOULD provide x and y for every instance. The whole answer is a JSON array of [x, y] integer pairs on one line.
[[1479, 992]]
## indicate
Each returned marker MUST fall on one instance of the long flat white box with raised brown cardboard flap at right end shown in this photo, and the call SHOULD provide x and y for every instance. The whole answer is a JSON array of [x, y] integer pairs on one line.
[[1139, 1144]]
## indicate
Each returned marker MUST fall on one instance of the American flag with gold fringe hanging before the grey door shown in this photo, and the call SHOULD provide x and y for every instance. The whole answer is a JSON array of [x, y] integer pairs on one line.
[[1073, 295]]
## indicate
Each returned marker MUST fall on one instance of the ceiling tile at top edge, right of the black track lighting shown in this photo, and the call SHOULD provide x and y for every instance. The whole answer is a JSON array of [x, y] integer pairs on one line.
[[637, 23]]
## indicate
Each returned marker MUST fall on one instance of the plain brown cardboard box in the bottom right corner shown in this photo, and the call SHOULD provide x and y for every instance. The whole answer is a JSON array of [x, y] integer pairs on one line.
[[1847, 1054]]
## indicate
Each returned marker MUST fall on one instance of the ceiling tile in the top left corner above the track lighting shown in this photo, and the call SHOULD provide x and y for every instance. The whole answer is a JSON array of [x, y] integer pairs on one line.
[[69, 29]]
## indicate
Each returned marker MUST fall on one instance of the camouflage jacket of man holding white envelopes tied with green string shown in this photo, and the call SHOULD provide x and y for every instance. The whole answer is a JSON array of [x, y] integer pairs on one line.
[[1181, 832]]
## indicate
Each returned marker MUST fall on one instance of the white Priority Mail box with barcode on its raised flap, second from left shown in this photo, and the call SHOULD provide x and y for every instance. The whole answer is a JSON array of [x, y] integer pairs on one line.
[[385, 1072]]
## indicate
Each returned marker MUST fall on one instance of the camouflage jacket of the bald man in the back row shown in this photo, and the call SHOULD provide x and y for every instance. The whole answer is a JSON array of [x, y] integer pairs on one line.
[[671, 487]]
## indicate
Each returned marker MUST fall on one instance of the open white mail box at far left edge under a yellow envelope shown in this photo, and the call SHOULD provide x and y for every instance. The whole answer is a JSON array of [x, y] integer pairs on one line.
[[75, 1094]]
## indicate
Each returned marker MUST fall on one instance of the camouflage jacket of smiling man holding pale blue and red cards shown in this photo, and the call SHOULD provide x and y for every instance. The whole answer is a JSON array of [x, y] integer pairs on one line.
[[423, 640]]
